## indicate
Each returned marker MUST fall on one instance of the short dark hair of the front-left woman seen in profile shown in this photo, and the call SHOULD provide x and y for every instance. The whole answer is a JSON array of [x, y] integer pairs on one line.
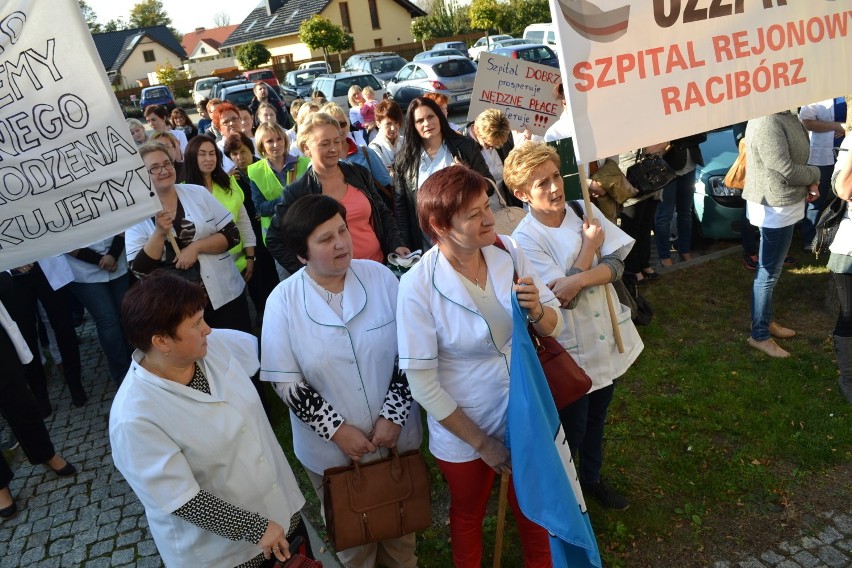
[[157, 305]]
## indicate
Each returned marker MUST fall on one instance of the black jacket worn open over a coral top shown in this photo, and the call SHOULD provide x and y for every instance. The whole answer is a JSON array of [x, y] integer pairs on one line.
[[354, 175]]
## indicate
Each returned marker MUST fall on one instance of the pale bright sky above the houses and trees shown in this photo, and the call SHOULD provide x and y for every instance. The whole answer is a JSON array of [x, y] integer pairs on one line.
[[186, 15]]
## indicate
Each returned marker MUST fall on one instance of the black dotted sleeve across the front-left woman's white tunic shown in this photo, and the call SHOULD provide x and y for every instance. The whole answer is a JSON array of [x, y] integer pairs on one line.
[[213, 514]]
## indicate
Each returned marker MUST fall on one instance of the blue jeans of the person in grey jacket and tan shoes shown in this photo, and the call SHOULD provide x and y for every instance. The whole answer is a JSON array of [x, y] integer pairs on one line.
[[774, 245]]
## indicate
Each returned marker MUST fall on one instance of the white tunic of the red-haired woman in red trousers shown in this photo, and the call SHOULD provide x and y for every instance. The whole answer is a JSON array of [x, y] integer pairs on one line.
[[439, 327]]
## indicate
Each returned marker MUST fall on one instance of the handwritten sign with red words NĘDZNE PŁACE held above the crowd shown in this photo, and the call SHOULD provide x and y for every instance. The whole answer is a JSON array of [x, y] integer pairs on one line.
[[522, 90]]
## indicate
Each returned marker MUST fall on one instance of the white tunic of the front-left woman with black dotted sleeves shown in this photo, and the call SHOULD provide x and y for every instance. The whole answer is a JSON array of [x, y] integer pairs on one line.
[[170, 441]]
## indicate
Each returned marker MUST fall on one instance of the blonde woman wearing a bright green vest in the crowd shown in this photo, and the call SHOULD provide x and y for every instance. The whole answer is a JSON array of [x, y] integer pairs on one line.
[[276, 169]]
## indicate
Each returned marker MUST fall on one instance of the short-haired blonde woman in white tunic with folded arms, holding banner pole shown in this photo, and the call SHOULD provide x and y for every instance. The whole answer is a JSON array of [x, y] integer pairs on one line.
[[561, 245]]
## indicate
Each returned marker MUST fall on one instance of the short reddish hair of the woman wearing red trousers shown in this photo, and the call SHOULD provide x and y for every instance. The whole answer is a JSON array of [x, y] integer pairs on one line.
[[444, 194]]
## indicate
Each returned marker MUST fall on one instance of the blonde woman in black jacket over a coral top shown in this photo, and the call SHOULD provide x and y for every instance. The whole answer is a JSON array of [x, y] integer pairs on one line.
[[374, 232]]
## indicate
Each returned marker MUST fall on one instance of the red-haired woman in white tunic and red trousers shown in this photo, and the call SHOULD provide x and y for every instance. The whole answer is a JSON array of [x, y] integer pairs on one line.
[[455, 340]]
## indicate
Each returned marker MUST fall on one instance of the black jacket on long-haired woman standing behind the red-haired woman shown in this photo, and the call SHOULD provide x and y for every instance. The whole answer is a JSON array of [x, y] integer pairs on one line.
[[405, 186]]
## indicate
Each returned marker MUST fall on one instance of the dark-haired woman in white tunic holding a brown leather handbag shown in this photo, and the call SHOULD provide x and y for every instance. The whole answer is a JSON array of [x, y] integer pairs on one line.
[[329, 347]]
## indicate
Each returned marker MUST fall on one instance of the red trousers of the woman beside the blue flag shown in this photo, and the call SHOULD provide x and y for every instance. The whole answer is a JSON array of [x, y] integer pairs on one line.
[[470, 487]]
